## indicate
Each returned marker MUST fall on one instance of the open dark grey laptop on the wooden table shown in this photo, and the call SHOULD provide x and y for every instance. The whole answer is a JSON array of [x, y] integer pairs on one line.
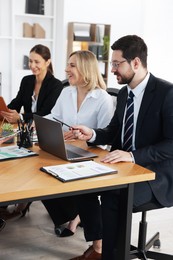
[[51, 139]]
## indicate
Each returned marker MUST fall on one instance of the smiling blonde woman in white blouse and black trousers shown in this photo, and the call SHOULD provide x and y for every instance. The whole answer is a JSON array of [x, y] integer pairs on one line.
[[84, 102]]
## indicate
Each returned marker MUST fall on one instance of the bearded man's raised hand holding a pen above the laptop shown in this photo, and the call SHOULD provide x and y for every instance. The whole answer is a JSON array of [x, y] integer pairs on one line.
[[82, 132]]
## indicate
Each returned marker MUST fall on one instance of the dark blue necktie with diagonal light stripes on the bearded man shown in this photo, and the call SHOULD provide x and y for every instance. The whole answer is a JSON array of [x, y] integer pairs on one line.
[[128, 123]]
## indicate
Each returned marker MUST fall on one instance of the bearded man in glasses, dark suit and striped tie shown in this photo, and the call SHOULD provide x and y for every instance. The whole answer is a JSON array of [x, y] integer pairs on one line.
[[152, 137]]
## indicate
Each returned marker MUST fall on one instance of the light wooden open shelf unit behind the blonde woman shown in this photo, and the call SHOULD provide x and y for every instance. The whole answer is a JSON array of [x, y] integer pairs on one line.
[[93, 37]]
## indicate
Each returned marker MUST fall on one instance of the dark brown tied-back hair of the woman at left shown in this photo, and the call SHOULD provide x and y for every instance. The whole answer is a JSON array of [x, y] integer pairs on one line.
[[44, 52]]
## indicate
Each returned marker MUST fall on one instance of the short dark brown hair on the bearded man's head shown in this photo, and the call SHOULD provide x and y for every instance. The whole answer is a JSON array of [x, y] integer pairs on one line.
[[132, 46]]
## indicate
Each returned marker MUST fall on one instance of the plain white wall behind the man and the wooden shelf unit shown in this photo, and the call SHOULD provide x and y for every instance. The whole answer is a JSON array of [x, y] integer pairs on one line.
[[150, 19]]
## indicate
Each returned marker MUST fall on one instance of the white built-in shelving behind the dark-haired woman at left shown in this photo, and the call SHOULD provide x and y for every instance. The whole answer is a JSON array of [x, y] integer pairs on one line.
[[16, 41]]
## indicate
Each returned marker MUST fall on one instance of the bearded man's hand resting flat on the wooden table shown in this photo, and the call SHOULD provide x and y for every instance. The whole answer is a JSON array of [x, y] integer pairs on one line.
[[117, 156]]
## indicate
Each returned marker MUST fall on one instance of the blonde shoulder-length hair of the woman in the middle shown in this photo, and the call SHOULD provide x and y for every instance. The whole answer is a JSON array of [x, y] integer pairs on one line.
[[87, 66]]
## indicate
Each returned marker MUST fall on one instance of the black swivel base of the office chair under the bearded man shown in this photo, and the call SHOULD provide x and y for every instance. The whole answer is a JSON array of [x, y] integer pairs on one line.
[[142, 250]]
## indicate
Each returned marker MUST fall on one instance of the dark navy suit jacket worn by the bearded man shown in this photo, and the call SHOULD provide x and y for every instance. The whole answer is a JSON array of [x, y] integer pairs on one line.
[[154, 135]]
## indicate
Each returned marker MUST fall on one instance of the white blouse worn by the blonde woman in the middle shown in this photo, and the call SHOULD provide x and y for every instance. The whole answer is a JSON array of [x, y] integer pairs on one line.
[[95, 111]]
